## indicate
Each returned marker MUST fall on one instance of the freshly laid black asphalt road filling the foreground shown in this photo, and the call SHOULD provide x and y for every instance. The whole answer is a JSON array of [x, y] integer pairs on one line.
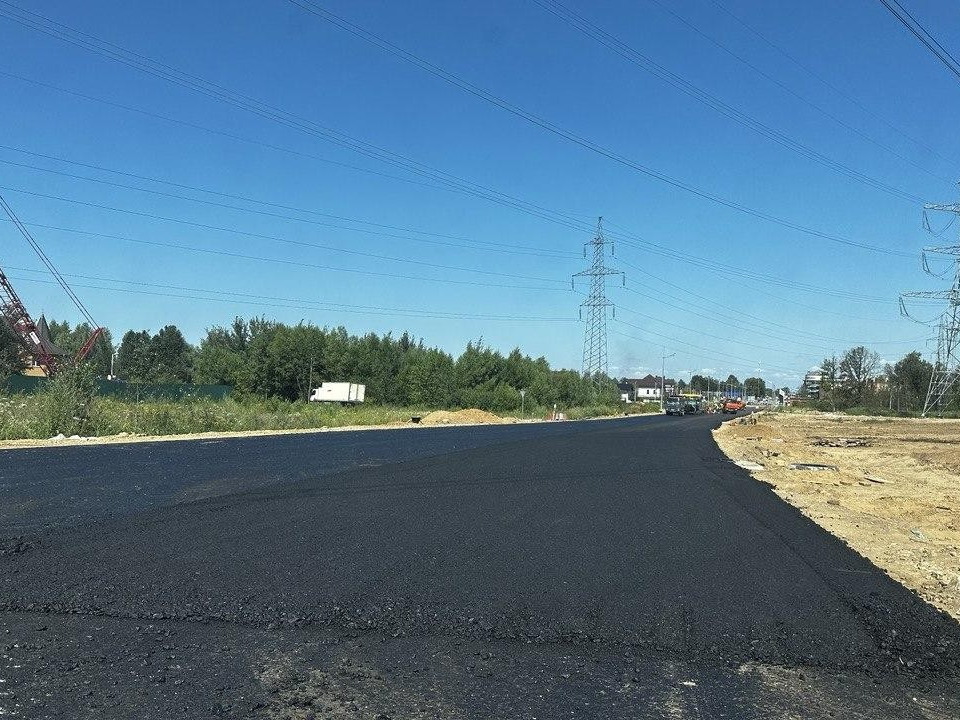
[[615, 569]]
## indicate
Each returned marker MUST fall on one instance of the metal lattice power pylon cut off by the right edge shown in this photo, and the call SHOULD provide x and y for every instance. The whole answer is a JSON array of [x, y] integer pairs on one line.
[[946, 365]]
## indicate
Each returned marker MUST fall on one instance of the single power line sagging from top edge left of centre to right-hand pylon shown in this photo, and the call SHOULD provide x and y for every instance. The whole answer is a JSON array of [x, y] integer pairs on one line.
[[575, 138]]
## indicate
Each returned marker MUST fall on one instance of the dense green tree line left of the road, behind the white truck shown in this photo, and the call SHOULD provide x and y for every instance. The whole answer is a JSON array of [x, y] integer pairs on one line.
[[264, 358]]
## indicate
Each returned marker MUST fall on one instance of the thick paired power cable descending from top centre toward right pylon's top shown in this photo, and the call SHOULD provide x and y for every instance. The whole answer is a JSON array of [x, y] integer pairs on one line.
[[618, 46]]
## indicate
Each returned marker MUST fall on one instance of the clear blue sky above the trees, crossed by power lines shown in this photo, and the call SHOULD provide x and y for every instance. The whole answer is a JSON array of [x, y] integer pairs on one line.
[[275, 52]]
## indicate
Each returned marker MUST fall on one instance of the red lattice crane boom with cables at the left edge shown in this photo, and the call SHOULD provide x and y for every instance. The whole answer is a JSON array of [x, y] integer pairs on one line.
[[18, 318]]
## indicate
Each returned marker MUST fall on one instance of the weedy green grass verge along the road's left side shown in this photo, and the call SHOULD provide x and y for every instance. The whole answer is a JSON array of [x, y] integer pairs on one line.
[[39, 417]]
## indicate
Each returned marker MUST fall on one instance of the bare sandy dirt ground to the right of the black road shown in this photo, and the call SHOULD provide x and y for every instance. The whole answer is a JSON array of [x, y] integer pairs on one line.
[[894, 496]]
